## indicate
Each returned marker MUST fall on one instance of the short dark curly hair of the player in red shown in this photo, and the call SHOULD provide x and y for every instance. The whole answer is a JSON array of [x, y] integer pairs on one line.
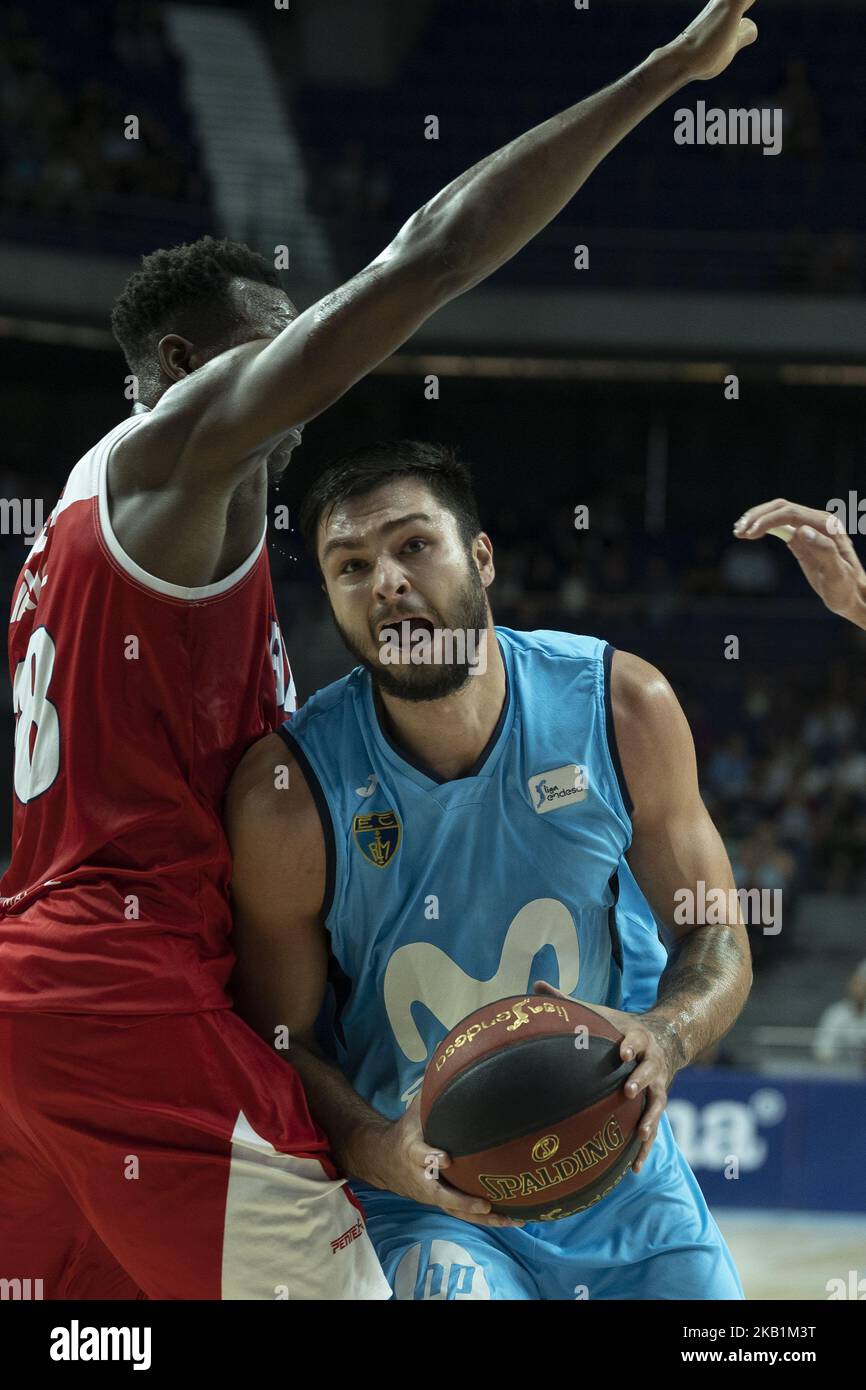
[[186, 291]]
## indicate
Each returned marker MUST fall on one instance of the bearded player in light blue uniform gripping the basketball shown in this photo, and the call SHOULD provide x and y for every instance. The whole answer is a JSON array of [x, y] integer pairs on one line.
[[426, 839]]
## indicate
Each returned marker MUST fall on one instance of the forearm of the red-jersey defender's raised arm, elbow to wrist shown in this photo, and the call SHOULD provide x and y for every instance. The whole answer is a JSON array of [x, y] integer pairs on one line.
[[494, 209]]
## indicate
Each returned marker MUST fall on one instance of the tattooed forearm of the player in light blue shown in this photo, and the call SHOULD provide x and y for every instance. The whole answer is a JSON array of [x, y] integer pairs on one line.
[[704, 989]]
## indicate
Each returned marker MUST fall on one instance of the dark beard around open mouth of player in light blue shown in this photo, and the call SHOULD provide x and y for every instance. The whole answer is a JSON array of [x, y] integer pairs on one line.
[[450, 665]]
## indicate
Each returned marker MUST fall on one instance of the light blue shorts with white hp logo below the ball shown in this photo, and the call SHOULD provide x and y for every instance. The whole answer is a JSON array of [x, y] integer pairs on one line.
[[651, 1238]]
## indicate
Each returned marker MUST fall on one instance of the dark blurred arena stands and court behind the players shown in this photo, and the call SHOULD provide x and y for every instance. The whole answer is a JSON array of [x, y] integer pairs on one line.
[[685, 343]]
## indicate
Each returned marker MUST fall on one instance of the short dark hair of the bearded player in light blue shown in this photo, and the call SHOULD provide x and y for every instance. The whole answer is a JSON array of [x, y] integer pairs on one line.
[[366, 469]]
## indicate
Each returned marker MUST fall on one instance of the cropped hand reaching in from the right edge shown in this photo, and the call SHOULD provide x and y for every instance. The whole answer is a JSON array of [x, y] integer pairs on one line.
[[824, 551]]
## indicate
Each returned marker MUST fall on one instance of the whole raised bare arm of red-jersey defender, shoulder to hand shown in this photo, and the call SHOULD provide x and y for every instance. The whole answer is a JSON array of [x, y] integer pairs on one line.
[[227, 412]]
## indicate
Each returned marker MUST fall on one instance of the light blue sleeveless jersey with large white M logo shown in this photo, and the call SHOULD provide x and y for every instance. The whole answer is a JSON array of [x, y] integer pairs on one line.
[[447, 896]]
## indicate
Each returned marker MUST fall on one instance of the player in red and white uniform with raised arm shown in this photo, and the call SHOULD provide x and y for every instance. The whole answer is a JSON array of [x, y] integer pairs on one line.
[[151, 1145]]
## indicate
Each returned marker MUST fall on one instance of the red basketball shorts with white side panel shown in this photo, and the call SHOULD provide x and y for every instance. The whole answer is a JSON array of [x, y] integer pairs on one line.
[[168, 1157]]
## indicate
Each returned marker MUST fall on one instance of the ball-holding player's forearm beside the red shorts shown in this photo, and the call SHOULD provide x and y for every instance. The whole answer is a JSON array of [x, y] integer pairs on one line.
[[338, 1110]]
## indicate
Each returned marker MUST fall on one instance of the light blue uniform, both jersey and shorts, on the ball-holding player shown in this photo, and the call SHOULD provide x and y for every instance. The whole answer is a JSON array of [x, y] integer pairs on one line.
[[447, 896]]
